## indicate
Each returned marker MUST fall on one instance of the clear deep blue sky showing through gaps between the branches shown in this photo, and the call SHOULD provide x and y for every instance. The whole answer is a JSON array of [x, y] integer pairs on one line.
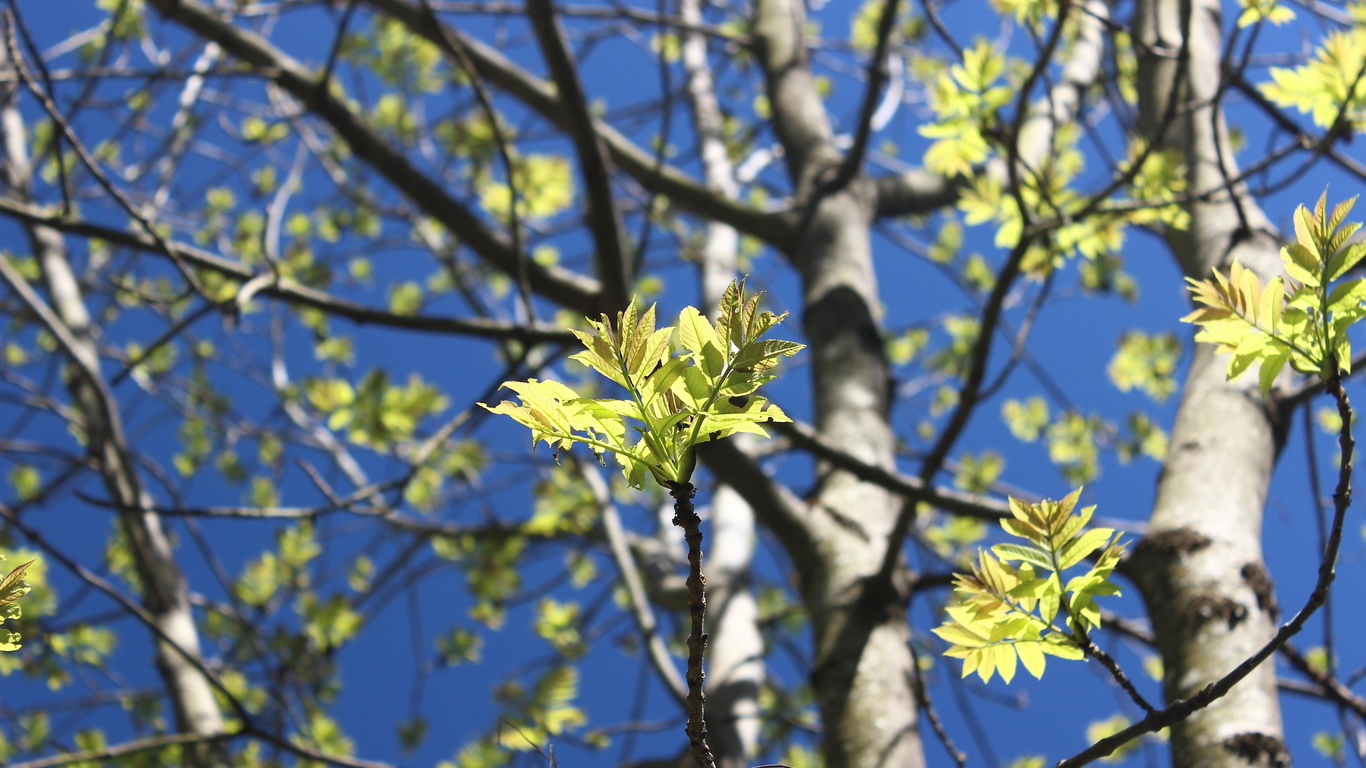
[[1073, 342]]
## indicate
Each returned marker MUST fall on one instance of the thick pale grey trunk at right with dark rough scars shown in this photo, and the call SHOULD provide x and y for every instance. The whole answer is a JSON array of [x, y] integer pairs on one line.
[[1200, 568]]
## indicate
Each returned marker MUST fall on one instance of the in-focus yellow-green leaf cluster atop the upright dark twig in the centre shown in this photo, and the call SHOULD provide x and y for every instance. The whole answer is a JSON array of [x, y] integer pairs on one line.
[[680, 394]]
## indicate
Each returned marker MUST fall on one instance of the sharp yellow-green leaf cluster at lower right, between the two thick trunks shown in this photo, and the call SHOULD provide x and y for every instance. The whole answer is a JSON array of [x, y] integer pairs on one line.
[[1010, 614]]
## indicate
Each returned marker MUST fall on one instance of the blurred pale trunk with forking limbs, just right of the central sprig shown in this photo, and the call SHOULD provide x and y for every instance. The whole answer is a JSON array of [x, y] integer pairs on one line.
[[863, 668]]
